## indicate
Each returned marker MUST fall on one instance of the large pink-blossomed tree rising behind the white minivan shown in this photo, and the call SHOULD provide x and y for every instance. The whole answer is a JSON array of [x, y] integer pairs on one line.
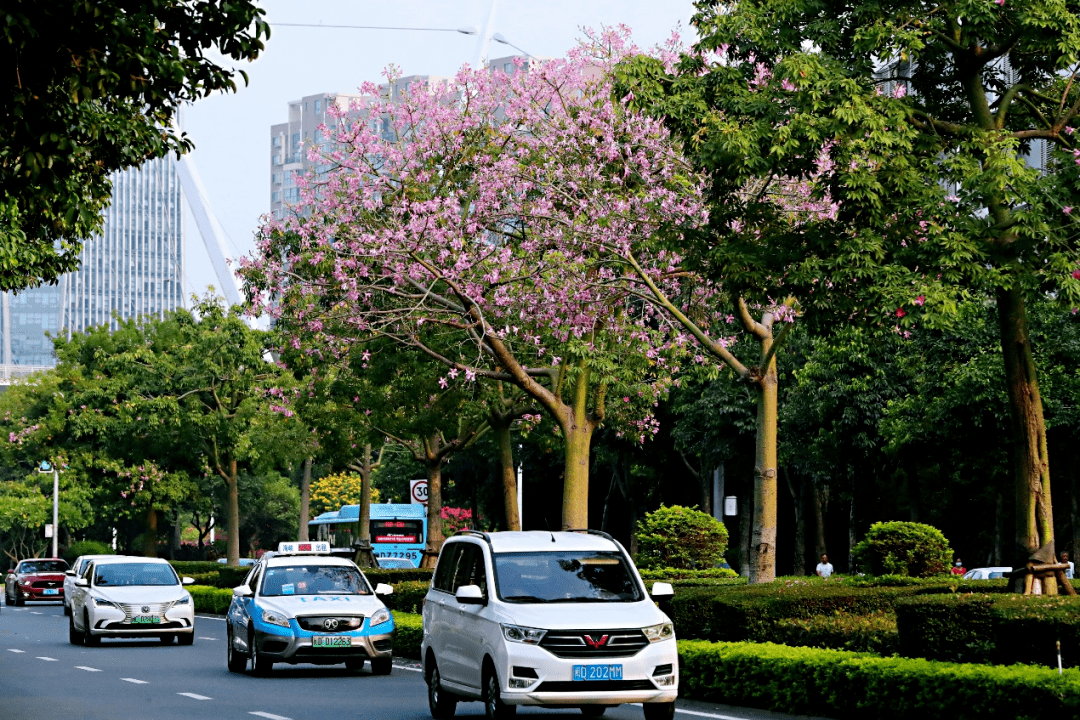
[[474, 222]]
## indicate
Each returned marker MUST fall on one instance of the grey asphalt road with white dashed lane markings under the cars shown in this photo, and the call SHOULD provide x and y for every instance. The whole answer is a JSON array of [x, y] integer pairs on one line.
[[44, 677]]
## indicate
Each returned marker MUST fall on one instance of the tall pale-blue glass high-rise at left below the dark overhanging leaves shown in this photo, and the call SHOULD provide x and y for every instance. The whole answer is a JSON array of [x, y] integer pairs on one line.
[[133, 268]]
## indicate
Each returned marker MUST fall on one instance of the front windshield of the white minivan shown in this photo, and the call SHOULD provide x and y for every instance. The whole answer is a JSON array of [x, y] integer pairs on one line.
[[565, 577]]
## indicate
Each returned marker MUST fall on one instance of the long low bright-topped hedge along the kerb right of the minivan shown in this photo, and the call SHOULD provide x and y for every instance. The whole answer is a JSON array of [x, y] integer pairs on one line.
[[846, 685]]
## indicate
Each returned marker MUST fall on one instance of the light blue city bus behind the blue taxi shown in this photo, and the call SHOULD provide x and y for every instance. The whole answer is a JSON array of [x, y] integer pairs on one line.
[[399, 532]]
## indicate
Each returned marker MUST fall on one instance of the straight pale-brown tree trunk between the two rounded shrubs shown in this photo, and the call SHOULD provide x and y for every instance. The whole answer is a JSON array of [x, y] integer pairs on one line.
[[764, 541]]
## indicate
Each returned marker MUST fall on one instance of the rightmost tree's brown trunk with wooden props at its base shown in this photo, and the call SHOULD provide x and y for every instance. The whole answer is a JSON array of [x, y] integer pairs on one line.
[[1035, 520]]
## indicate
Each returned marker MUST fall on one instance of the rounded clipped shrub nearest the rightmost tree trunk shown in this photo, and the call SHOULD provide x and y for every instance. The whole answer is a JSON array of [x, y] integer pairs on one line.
[[904, 549]]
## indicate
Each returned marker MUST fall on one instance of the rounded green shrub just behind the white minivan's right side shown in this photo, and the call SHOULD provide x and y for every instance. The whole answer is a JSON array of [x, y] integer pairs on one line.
[[680, 538]]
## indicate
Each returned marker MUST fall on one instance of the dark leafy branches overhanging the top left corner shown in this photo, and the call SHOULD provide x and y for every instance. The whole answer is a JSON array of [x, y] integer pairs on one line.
[[94, 88]]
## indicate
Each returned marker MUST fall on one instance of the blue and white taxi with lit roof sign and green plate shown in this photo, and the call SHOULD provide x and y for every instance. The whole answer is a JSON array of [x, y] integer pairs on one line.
[[302, 605]]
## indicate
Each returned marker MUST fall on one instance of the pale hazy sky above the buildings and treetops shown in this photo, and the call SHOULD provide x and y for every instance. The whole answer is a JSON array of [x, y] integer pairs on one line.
[[233, 132]]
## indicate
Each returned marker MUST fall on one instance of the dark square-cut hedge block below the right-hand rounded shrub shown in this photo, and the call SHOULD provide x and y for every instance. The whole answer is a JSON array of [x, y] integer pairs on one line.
[[951, 628]]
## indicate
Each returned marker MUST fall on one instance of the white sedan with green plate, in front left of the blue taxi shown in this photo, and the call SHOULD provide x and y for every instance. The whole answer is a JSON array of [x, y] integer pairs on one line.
[[120, 596]]
